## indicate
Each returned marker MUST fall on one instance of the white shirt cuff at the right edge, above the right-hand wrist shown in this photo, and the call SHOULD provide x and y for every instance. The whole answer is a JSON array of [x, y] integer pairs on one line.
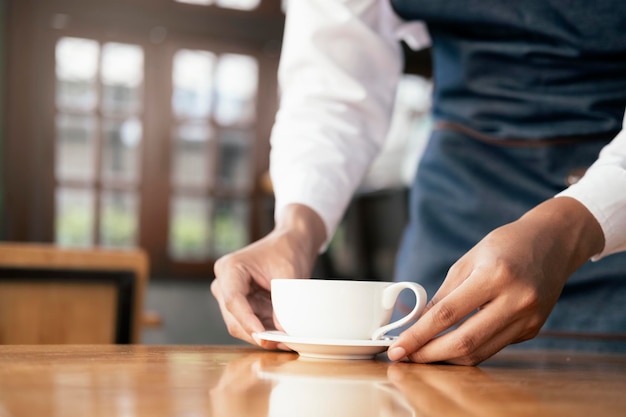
[[603, 191]]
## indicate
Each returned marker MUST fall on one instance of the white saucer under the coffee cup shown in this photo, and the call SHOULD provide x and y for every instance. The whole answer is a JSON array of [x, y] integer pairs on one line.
[[329, 348]]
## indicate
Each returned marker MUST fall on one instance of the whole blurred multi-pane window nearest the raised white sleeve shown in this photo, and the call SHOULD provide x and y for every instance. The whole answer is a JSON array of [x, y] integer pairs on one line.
[[214, 107]]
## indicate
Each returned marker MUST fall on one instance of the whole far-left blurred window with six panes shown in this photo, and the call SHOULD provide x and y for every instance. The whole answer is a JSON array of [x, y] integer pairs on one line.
[[98, 138]]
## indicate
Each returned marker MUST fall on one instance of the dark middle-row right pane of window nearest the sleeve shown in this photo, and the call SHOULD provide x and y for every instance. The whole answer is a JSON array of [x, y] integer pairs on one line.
[[235, 165]]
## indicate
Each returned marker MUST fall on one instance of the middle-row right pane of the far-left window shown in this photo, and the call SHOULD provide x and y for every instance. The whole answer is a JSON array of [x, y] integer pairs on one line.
[[120, 152]]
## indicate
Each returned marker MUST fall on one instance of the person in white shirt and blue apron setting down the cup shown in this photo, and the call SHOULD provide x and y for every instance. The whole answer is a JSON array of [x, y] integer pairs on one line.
[[525, 94]]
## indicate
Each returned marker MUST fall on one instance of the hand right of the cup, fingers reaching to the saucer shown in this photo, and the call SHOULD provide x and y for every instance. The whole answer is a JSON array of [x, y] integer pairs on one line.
[[503, 289]]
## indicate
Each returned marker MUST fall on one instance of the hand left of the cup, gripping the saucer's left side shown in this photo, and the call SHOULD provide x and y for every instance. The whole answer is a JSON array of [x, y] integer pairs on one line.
[[242, 279]]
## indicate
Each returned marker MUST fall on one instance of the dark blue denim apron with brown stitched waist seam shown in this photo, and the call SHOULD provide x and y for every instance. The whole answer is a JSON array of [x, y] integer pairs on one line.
[[526, 93]]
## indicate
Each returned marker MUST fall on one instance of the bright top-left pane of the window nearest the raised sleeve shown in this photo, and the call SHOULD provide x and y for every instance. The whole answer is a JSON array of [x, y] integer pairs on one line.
[[193, 83]]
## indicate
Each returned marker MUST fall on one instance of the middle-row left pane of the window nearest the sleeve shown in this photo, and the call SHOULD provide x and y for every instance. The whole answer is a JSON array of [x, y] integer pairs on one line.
[[191, 156]]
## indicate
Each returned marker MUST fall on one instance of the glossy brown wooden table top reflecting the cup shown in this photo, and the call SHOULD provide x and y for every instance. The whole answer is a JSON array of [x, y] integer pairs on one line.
[[195, 381]]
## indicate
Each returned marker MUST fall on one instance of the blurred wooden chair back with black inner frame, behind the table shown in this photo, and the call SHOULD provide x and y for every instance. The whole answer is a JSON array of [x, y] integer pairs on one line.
[[52, 295]]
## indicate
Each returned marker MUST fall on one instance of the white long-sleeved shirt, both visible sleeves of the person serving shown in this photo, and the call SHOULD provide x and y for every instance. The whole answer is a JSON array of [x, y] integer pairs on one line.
[[340, 66]]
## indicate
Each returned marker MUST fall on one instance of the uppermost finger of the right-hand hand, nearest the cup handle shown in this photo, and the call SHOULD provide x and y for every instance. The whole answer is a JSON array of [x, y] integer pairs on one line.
[[463, 300]]
